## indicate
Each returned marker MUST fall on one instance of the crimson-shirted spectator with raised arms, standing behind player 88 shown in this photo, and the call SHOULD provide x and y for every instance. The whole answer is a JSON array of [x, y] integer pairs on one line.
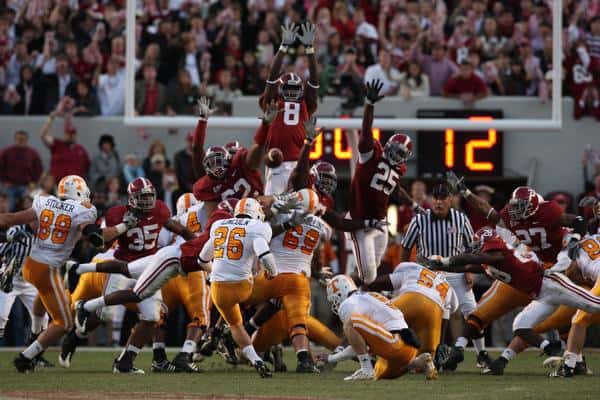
[[67, 157]]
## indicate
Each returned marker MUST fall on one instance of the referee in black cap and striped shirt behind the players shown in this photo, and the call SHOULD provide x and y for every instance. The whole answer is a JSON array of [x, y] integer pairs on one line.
[[445, 231]]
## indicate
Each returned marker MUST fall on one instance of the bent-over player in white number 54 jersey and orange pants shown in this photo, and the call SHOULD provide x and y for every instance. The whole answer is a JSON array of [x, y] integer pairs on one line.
[[424, 297]]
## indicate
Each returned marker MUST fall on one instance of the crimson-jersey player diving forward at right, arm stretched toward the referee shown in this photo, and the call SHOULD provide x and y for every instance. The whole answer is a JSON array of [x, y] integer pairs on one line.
[[521, 269]]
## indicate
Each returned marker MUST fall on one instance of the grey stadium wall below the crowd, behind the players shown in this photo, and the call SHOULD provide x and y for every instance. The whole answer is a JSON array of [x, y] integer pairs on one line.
[[556, 154]]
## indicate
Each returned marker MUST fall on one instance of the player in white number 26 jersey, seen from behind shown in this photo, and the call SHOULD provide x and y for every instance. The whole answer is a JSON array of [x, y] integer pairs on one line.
[[235, 245]]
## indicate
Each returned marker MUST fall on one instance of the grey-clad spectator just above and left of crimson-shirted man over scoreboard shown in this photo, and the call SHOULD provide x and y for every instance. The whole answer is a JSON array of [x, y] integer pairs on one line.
[[437, 66]]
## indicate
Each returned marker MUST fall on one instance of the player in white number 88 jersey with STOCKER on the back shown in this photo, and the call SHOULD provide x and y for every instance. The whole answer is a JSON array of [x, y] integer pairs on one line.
[[61, 222]]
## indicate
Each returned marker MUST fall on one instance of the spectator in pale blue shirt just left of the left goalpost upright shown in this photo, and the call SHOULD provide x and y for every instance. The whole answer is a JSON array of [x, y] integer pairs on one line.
[[111, 89]]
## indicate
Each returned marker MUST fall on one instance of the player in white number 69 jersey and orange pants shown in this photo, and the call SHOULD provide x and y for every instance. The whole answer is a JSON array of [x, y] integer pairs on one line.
[[293, 250]]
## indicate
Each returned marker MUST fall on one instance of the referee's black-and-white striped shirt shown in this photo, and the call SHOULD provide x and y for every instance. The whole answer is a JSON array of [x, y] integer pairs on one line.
[[441, 237]]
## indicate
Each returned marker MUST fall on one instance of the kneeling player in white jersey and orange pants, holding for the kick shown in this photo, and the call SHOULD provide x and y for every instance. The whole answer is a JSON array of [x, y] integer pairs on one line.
[[373, 325]]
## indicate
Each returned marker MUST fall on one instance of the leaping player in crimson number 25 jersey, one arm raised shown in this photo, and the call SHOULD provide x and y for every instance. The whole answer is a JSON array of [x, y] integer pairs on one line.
[[375, 179]]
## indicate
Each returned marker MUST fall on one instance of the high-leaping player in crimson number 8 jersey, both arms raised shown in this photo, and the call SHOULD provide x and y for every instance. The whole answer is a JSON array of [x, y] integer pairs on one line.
[[298, 101]]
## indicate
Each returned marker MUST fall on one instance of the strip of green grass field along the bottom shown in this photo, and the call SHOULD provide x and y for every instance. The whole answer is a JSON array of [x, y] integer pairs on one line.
[[90, 375]]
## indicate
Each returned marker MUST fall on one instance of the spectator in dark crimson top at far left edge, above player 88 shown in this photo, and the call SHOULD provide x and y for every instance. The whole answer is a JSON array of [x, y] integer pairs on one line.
[[20, 166]]
